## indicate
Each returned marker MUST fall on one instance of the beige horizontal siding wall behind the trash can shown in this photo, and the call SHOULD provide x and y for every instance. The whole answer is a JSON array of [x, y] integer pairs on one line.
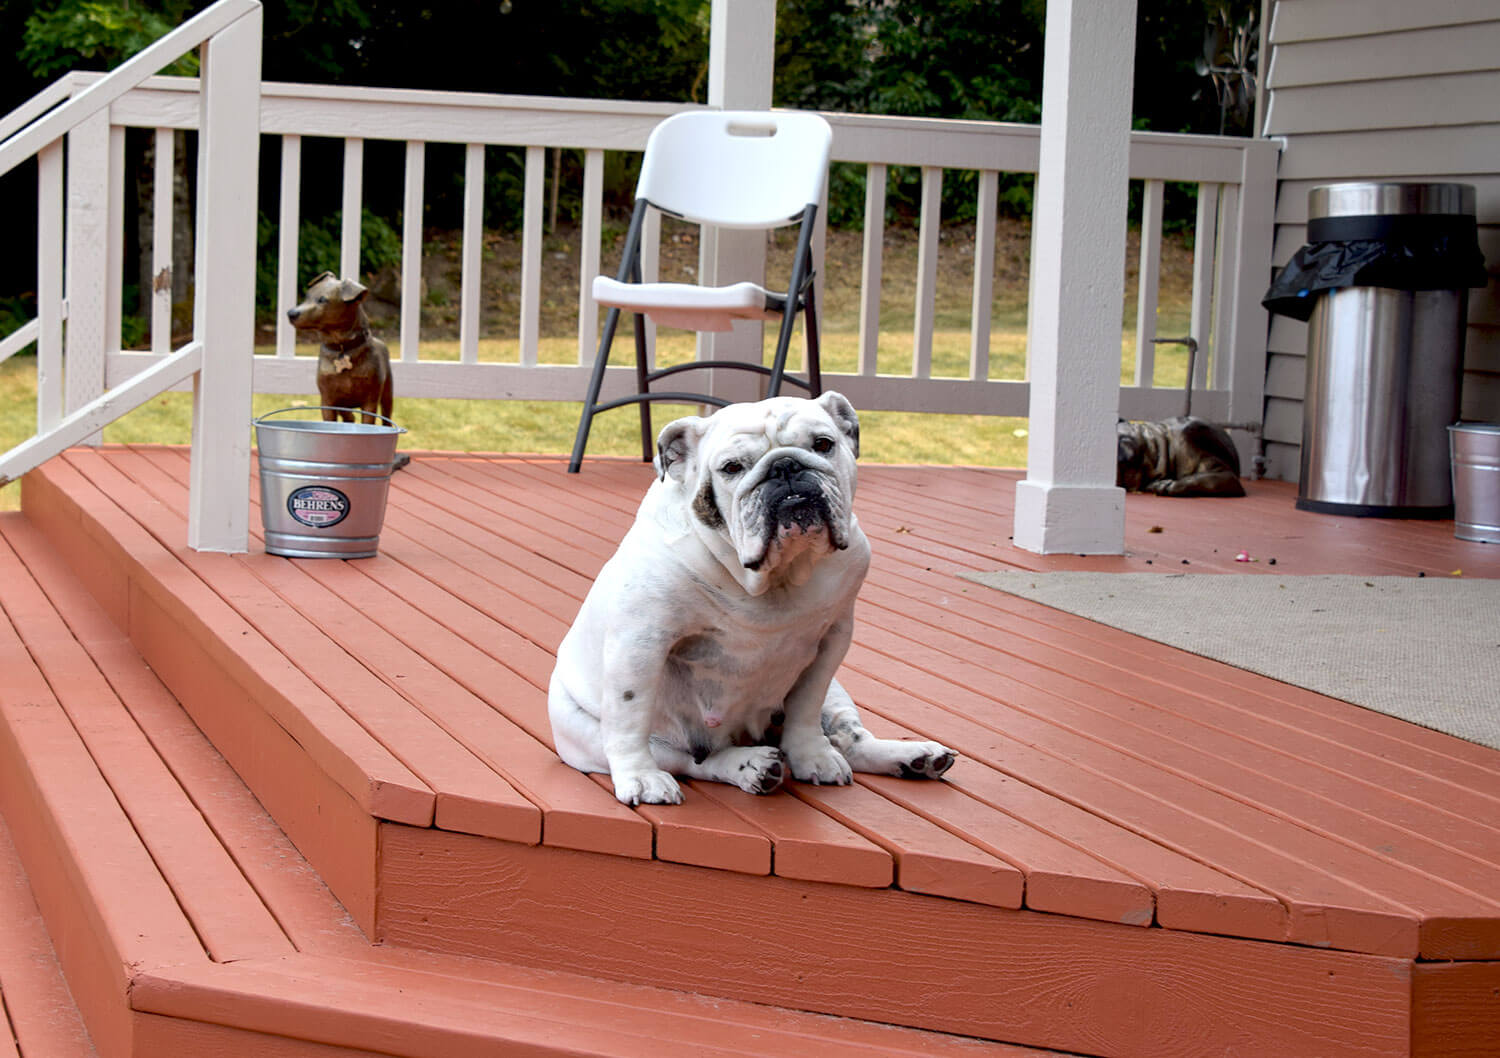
[[1382, 91]]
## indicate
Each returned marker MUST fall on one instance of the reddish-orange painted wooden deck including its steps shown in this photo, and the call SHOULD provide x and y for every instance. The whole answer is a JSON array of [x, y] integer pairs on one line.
[[307, 808]]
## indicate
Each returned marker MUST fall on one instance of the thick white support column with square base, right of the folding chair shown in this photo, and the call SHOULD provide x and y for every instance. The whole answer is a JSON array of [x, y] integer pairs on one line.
[[1069, 502]]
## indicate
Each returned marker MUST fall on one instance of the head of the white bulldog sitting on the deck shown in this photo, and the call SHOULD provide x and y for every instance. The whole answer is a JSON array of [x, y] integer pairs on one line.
[[775, 479]]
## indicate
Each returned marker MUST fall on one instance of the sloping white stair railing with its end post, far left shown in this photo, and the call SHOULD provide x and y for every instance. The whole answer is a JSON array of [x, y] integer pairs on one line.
[[79, 280]]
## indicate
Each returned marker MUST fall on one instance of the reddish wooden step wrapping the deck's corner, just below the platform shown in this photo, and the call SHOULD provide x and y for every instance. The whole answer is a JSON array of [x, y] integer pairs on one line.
[[188, 924]]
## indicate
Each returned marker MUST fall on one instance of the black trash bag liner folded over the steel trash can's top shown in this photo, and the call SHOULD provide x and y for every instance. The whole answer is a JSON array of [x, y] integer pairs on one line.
[[1438, 251]]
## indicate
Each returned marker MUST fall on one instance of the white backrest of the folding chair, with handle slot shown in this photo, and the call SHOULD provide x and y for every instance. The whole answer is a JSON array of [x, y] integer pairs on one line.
[[737, 169]]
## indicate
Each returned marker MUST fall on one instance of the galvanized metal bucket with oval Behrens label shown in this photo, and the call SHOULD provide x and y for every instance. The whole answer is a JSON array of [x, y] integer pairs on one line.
[[325, 484]]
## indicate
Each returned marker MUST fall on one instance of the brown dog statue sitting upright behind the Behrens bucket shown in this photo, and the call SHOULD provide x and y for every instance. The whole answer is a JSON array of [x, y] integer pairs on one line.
[[353, 365]]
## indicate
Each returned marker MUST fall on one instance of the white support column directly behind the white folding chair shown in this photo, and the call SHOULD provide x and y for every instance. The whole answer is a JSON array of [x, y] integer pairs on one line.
[[742, 58]]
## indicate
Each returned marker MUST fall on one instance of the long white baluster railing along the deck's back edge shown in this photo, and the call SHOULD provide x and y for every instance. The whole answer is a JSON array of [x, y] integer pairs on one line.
[[1235, 181]]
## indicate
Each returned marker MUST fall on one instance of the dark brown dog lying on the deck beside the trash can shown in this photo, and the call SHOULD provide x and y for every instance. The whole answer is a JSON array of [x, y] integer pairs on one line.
[[1177, 457]]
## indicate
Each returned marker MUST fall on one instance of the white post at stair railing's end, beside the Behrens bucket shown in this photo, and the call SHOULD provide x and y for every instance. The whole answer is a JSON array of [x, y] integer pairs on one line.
[[229, 151]]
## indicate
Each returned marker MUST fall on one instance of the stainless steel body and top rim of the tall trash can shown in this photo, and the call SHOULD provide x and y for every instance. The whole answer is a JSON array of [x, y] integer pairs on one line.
[[1385, 365]]
